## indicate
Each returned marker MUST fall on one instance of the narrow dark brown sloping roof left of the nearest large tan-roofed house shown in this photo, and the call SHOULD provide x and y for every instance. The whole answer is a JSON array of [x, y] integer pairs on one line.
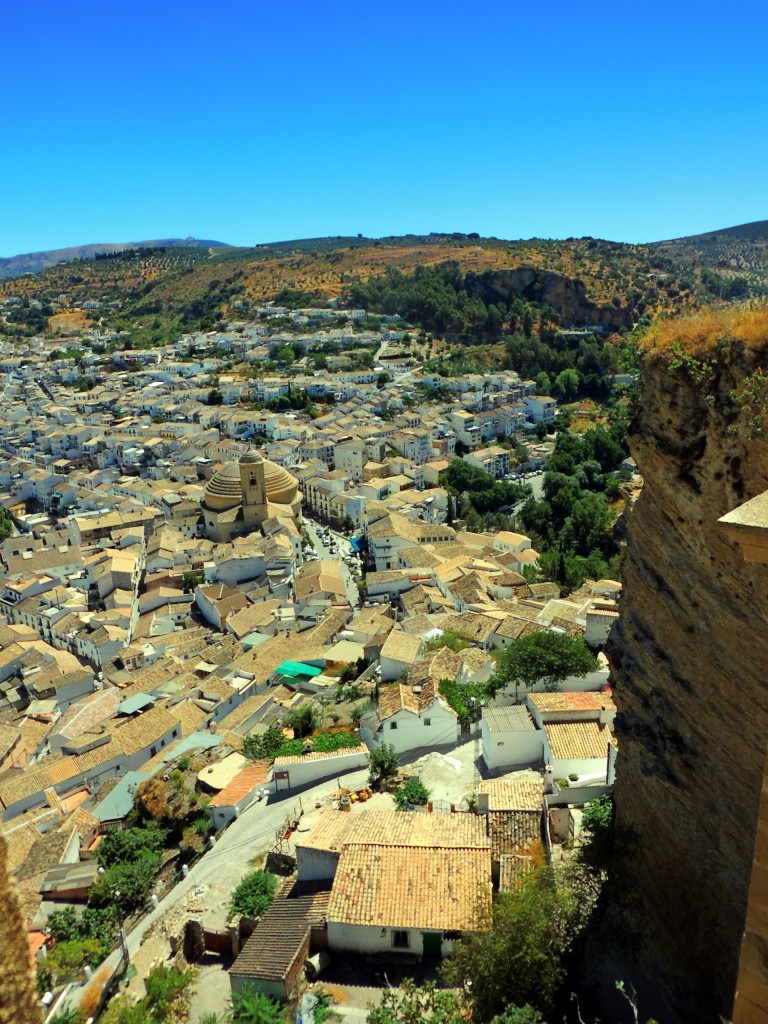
[[281, 934]]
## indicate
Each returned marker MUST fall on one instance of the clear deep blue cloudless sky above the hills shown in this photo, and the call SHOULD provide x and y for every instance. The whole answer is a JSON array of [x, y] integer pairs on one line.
[[252, 121]]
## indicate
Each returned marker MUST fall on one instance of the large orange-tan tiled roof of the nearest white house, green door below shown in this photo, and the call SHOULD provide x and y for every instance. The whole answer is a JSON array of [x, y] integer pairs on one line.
[[408, 887]]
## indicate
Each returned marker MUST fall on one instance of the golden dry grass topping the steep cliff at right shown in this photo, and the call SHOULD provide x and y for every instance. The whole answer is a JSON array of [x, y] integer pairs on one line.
[[699, 334]]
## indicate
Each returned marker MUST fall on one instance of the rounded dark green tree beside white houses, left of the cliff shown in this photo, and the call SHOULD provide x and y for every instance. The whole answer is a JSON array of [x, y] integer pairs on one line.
[[544, 657]]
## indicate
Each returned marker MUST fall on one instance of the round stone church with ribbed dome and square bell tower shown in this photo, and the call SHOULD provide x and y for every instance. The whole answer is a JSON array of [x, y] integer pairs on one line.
[[242, 495]]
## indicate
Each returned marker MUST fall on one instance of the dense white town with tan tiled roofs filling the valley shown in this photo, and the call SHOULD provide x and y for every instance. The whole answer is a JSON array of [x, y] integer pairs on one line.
[[251, 642]]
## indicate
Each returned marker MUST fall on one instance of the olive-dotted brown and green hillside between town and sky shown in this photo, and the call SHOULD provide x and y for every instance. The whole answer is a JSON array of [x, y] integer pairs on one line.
[[158, 291]]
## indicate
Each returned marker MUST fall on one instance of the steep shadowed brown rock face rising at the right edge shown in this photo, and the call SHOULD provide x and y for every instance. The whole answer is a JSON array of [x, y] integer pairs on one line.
[[690, 660]]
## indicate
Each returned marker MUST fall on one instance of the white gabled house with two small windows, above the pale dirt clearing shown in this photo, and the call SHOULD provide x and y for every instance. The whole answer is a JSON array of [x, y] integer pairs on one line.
[[410, 717]]
